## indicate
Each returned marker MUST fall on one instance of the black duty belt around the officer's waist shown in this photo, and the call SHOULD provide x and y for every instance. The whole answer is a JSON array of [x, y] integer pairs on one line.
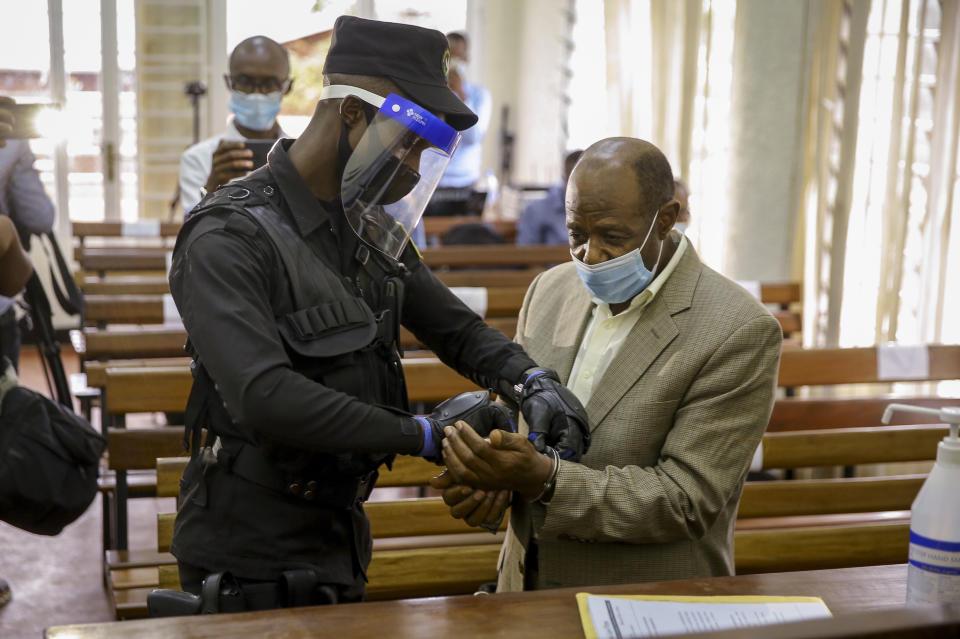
[[250, 464]]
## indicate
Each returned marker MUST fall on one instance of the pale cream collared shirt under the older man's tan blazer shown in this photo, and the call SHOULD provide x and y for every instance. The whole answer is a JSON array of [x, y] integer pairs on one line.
[[607, 332]]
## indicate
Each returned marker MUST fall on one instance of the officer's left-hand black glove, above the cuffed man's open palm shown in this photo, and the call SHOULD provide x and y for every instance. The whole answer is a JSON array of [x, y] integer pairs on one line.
[[473, 407]]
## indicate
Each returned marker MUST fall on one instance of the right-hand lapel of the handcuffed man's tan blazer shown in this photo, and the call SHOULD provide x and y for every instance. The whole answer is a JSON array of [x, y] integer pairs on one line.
[[652, 333]]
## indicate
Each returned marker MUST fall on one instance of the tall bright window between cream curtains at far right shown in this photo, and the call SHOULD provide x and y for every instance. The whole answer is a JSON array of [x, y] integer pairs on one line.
[[890, 202]]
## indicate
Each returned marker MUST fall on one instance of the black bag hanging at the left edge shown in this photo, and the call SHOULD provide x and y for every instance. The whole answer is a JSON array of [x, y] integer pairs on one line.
[[49, 460]]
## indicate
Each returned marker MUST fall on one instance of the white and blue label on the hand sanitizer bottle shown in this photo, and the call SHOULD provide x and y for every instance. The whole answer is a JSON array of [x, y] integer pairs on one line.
[[934, 572]]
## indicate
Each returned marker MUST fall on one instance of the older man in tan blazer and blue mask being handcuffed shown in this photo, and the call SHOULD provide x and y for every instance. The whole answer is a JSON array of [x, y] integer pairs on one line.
[[676, 366]]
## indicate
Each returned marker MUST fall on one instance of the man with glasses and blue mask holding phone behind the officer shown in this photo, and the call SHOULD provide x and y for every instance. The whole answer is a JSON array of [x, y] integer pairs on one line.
[[259, 78]]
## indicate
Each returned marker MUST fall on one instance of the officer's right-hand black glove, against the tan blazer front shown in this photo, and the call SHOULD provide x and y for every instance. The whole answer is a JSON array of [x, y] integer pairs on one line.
[[554, 414]]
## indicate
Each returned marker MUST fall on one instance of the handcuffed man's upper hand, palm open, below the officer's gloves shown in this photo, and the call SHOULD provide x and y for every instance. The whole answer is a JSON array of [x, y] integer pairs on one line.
[[507, 461]]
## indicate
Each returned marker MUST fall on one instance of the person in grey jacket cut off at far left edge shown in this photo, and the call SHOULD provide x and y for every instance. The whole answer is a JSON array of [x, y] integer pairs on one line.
[[25, 208]]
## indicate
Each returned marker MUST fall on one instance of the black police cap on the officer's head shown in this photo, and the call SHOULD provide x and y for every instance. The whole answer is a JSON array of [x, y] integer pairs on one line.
[[414, 58]]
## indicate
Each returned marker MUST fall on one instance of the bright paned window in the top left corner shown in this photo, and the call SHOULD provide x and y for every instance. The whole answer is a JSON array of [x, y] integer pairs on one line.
[[71, 161]]
